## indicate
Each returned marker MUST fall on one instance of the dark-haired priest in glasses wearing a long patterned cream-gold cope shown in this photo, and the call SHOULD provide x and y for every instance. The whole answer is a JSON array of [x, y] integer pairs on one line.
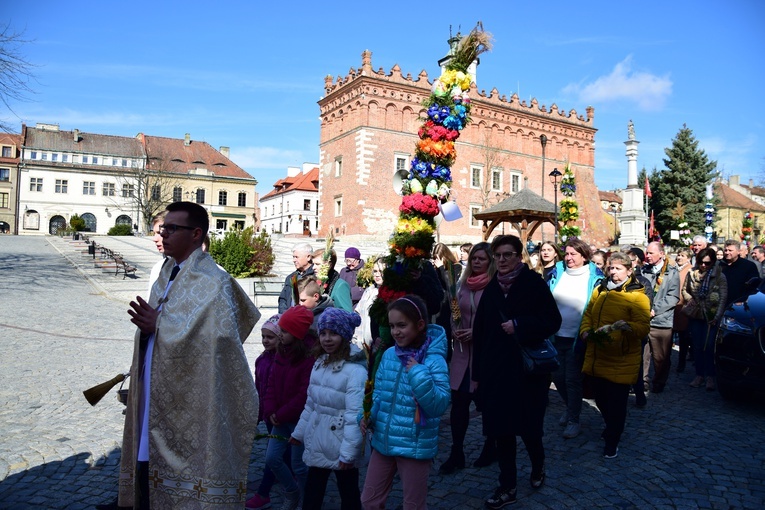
[[192, 408]]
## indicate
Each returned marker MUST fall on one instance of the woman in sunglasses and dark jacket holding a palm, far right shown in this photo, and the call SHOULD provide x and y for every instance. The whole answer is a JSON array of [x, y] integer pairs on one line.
[[705, 292]]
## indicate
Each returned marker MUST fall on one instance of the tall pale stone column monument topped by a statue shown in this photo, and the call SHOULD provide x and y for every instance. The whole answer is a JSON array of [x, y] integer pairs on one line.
[[632, 219]]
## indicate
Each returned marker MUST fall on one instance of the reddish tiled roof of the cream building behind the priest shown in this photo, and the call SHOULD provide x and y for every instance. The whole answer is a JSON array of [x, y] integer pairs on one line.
[[175, 156]]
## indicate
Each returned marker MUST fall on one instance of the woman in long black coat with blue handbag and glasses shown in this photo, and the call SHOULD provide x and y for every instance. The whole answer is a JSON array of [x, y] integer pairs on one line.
[[517, 306]]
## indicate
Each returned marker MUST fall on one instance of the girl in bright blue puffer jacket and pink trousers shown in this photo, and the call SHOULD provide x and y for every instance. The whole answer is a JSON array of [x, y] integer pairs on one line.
[[411, 393]]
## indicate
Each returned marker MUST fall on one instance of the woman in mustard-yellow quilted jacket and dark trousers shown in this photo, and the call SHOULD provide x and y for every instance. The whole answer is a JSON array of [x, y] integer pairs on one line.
[[616, 320]]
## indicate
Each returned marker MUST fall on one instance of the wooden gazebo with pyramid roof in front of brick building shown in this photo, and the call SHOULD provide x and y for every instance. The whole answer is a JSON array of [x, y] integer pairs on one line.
[[525, 211]]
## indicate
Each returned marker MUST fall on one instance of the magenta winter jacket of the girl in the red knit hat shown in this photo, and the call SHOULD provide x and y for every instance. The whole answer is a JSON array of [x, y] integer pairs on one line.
[[287, 387]]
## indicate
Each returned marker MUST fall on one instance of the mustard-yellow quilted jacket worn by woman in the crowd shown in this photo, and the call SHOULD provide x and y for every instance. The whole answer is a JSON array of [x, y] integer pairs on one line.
[[618, 360]]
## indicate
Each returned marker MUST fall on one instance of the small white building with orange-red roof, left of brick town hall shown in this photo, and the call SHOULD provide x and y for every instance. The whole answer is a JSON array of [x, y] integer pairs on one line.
[[291, 207]]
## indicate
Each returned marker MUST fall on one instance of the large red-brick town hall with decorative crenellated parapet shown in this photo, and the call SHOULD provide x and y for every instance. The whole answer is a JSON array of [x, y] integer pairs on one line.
[[369, 123]]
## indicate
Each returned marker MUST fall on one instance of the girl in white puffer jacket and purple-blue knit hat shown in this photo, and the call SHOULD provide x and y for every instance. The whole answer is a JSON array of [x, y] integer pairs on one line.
[[327, 427]]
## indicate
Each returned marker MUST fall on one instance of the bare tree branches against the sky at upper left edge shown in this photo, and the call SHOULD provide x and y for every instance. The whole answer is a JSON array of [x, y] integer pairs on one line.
[[15, 73]]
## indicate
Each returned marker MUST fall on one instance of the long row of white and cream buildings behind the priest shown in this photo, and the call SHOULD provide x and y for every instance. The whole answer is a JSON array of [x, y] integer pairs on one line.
[[111, 180]]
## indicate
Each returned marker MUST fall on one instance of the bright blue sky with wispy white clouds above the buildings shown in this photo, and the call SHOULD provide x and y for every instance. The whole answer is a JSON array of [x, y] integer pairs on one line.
[[248, 74]]
